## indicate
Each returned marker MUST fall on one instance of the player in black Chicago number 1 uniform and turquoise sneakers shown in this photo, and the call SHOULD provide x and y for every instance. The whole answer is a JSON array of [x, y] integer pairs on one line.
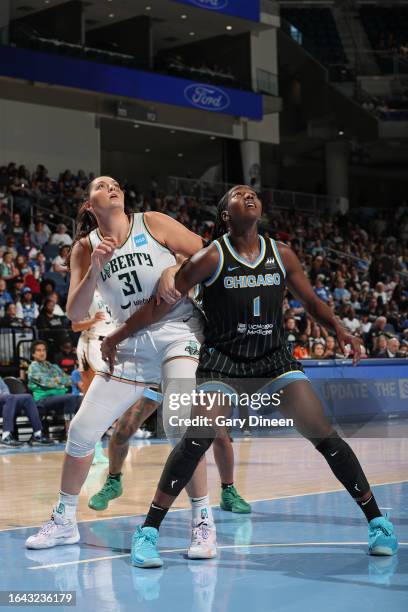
[[243, 277]]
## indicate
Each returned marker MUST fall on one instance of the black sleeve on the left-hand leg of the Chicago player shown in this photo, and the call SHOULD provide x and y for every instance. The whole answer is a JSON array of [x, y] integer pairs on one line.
[[184, 458]]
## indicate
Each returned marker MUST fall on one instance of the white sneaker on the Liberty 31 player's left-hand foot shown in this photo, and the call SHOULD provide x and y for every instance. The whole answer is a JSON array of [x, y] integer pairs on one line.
[[56, 532]]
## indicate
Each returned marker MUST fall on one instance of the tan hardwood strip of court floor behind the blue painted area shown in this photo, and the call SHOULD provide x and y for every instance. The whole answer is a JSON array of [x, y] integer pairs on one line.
[[265, 469]]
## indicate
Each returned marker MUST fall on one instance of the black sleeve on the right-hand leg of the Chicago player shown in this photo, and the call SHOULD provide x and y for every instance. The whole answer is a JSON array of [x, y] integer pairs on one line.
[[344, 464]]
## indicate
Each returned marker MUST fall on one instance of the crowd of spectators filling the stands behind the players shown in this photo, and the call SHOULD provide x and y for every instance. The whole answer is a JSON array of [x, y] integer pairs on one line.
[[357, 265]]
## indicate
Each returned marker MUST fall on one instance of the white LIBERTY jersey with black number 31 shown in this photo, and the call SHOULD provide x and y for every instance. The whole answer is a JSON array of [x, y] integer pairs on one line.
[[131, 277]]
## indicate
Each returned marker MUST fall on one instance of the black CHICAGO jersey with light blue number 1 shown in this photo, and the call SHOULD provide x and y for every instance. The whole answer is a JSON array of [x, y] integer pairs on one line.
[[243, 303]]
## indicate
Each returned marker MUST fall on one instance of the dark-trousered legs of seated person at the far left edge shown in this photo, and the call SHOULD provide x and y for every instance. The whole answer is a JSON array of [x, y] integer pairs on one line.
[[10, 406]]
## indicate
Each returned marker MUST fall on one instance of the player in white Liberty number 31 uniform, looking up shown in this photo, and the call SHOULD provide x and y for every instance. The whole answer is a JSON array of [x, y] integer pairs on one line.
[[124, 257]]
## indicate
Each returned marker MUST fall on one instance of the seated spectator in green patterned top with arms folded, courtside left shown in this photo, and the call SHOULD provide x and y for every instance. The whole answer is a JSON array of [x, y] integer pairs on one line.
[[49, 384]]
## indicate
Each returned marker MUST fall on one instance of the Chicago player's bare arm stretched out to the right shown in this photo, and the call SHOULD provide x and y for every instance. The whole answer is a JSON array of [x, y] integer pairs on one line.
[[300, 286]]
